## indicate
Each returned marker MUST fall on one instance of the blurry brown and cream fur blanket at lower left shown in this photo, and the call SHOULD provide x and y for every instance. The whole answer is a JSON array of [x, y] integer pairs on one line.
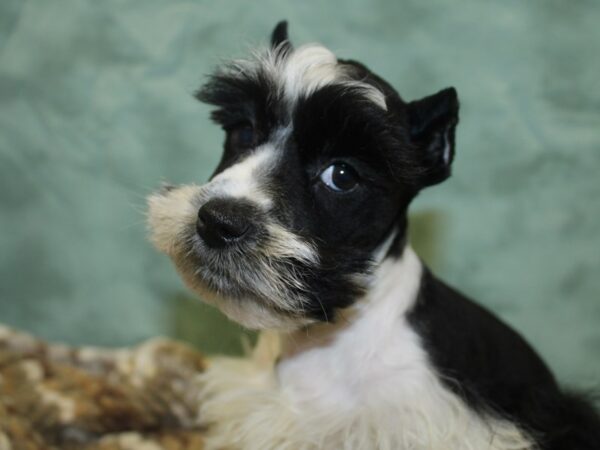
[[57, 397]]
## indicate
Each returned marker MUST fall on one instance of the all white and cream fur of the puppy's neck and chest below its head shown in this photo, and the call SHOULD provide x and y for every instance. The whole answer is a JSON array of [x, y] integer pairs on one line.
[[362, 383]]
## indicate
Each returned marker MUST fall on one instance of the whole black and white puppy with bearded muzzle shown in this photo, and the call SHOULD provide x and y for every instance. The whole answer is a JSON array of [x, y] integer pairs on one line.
[[302, 231]]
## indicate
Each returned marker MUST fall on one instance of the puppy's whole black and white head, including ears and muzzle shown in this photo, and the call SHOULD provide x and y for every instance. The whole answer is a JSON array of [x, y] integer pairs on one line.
[[321, 160]]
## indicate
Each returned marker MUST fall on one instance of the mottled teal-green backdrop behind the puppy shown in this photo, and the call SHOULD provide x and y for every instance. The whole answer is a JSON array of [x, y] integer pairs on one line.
[[96, 109]]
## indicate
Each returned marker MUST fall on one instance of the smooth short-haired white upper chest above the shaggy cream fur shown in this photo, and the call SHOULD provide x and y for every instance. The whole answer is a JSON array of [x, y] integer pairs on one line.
[[363, 370]]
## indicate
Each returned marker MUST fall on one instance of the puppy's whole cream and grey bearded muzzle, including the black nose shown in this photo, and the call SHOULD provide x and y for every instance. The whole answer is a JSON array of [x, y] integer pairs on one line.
[[232, 253]]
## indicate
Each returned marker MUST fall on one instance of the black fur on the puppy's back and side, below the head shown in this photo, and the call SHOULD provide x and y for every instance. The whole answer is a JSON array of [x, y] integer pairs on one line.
[[495, 371]]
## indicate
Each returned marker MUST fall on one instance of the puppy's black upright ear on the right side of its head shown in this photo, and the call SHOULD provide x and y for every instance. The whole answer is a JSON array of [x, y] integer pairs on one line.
[[432, 121]]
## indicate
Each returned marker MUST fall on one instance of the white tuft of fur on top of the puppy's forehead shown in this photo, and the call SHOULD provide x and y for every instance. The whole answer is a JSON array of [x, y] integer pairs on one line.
[[304, 70]]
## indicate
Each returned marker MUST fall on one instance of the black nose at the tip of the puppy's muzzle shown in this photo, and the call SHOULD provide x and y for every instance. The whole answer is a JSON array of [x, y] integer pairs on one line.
[[222, 221]]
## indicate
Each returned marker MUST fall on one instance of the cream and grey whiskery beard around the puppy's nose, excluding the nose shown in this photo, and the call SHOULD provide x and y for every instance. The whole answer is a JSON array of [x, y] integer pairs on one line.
[[258, 284]]
